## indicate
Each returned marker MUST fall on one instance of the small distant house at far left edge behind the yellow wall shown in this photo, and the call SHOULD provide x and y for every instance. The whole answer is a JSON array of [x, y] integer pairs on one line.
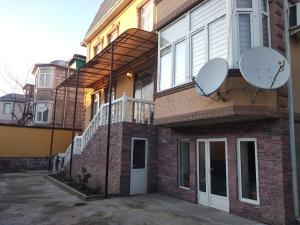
[[11, 108]]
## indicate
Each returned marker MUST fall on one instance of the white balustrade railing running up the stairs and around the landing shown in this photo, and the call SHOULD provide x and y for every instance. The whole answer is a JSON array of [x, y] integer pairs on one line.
[[124, 109]]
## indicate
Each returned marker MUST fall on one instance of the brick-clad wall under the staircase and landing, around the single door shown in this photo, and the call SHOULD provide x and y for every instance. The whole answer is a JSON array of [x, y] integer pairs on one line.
[[93, 158]]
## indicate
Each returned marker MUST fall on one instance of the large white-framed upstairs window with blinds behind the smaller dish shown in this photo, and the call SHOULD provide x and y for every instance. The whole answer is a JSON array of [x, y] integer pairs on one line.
[[189, 42]]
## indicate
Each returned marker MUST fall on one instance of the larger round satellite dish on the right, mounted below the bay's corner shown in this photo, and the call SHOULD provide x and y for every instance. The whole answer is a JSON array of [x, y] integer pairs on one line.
[[264, 68]]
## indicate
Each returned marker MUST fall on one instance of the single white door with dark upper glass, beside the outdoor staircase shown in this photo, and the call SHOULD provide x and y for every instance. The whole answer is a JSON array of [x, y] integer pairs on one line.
[[138, 178]]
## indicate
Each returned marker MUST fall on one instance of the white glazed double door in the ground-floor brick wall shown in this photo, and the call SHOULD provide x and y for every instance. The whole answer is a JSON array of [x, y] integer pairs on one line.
[[212, 173]]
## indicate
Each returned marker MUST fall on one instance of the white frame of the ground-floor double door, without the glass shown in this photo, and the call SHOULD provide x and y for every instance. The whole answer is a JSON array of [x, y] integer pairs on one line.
[[207, 167]]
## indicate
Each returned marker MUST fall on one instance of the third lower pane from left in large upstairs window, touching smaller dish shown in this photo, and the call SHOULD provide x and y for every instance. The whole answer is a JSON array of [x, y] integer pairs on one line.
[[198, 52]]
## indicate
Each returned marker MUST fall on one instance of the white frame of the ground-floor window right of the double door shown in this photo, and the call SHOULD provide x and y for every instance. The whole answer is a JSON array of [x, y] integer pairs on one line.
[[251, 201]]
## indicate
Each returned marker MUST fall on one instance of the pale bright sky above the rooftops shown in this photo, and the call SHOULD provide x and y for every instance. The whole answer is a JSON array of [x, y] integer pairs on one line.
[[39, 31]]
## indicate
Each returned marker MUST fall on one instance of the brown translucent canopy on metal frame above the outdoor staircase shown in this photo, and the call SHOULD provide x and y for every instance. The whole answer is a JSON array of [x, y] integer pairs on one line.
[[129, 46]]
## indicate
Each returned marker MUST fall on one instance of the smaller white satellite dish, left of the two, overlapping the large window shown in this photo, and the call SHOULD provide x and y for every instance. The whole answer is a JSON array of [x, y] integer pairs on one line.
[[211, 76]]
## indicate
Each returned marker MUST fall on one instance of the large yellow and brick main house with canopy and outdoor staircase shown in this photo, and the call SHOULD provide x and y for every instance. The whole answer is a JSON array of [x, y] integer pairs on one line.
[[230, 151]]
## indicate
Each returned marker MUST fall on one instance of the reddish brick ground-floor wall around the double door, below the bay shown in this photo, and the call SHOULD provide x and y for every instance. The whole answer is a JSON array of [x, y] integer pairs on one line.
[[276, 200]]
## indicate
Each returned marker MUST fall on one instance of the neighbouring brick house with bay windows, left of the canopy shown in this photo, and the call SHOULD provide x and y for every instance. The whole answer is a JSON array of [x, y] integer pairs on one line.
[[47, 77]]
